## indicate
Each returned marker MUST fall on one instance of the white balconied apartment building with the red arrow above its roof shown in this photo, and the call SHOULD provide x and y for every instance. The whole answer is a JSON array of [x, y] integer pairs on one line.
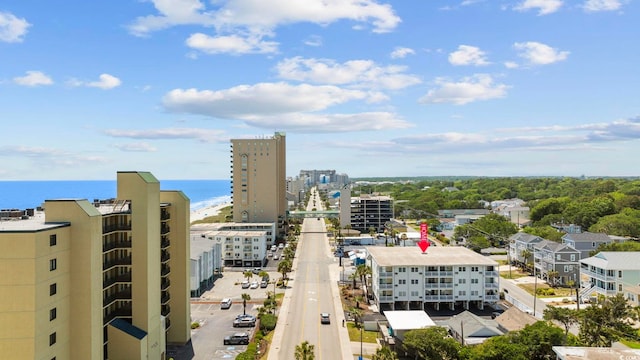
[[404, 278]]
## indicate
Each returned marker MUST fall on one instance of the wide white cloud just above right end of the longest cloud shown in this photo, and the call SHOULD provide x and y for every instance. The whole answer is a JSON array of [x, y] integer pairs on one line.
[[358, 73]]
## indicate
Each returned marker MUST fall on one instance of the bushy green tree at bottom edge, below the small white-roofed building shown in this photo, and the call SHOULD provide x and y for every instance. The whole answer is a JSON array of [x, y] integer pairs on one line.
[[431, 343]]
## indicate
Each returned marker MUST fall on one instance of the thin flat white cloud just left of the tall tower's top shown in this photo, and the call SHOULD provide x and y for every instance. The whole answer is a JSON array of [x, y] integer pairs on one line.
[[202, 135]]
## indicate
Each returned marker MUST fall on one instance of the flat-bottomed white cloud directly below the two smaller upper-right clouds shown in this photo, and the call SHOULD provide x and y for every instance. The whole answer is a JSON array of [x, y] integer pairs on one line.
[[476, 88]]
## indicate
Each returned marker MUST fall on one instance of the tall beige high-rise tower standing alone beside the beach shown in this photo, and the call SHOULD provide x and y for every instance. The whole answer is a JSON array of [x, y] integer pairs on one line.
[[258, 179]]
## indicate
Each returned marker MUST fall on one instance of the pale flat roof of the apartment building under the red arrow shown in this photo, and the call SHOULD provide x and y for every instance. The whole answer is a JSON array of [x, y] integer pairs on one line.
[[435, 256]]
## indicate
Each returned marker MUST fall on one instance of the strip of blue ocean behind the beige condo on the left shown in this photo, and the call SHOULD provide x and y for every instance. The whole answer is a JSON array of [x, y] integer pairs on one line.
[[31, 194]]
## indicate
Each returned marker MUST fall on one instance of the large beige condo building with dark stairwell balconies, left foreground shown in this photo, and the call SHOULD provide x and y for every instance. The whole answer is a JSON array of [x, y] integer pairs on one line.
[[103, 280]]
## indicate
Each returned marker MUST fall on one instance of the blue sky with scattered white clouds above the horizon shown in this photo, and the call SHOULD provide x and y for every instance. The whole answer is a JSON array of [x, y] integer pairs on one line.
[[365, 87]]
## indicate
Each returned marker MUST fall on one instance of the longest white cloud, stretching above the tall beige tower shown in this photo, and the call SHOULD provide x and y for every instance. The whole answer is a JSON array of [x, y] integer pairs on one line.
[[254, 101]]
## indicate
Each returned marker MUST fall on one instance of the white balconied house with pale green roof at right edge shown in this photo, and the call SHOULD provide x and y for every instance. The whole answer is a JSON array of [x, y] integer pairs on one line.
[[611, 273]]
